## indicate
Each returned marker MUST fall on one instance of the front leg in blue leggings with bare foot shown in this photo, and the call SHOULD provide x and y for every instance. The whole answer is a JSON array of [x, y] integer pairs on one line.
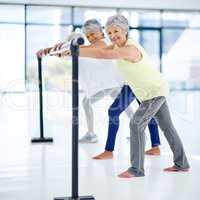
[[122, 101]]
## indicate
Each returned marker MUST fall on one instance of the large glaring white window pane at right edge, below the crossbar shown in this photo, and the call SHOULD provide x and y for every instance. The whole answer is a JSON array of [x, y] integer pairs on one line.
[[181, 58]]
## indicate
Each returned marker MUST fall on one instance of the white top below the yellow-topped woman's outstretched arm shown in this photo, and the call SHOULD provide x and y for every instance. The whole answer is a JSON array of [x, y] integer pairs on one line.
[[96, 75]]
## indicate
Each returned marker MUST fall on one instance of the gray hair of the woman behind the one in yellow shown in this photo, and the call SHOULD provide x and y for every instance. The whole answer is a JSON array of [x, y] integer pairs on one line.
[[91, 25]]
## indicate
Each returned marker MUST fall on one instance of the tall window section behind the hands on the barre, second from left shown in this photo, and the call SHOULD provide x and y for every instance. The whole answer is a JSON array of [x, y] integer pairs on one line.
[[47, 25]]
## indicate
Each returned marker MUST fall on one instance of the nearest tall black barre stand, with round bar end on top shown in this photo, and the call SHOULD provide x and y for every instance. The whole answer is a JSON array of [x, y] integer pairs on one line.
[[74, 47]]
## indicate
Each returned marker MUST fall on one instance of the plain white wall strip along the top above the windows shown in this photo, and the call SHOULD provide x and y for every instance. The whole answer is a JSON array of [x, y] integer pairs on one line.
[[149, 4]]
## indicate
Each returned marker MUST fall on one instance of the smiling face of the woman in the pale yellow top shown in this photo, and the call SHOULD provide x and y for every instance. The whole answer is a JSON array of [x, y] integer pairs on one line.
[[117, 35]]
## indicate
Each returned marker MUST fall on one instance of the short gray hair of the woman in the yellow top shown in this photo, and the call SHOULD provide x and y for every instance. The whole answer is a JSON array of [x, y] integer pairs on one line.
[[118, 20]]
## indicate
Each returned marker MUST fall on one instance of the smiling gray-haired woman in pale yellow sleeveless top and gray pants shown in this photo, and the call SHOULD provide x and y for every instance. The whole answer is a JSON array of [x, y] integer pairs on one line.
[[149, 87]]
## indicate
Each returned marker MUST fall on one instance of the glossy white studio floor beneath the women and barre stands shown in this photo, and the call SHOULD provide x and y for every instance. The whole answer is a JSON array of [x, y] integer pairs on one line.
[[43, 171]]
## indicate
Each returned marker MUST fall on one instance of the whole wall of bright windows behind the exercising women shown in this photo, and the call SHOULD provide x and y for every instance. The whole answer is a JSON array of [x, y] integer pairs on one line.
[[176, 33]]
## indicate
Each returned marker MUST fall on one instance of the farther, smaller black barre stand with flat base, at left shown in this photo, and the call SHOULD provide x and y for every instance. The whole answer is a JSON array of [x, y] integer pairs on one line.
[[41, 139]]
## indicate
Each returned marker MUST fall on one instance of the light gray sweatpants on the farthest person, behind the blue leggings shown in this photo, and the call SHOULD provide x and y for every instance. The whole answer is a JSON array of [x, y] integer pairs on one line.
[[87, 105]]
